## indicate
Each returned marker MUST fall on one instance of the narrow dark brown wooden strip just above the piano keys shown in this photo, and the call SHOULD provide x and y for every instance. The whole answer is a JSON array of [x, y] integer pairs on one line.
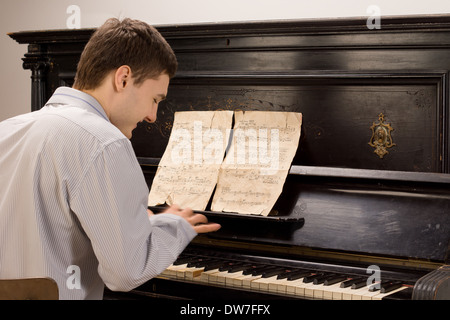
[[318, 254]]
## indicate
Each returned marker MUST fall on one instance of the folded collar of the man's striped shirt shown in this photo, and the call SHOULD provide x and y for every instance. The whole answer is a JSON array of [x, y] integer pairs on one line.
[[66, 95]]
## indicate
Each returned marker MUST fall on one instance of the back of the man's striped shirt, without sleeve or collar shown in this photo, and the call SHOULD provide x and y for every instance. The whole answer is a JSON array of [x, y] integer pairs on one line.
[[44, 156]]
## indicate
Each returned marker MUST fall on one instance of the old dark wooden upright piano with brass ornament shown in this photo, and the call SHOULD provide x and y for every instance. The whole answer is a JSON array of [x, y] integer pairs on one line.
[[368, 195]]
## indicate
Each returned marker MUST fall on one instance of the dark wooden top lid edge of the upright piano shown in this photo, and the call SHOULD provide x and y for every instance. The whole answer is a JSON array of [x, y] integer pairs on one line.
[[292, 26]]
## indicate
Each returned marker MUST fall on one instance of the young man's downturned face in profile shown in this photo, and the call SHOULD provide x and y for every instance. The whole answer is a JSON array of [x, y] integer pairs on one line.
[[140, 103]]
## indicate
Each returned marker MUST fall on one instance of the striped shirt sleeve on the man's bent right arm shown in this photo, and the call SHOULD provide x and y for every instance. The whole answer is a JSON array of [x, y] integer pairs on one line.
[[111, 206]]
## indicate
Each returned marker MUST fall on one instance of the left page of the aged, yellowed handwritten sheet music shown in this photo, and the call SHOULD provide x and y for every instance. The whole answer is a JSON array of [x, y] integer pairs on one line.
[[188, 170]]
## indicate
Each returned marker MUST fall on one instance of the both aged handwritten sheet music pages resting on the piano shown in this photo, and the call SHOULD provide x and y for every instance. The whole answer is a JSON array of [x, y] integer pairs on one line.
[[247, 164]]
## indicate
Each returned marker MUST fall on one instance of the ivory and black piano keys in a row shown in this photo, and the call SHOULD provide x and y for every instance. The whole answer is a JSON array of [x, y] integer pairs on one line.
[[283, 281]]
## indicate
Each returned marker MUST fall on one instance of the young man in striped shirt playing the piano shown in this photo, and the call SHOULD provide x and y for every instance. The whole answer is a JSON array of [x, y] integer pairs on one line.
[[73, 199]]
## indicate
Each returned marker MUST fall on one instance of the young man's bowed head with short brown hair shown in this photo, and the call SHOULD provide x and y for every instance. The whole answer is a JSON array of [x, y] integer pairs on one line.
[[126, 66]]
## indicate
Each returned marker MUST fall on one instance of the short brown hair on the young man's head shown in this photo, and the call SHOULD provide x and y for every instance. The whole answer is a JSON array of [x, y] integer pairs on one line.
[[127, 42]]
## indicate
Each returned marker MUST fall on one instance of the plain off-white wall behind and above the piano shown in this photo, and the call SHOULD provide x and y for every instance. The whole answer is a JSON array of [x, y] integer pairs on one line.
[[20, 15]]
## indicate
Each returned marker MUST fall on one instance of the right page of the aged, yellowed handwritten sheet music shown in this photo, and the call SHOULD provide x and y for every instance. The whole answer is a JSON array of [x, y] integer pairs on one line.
[[252, 175]]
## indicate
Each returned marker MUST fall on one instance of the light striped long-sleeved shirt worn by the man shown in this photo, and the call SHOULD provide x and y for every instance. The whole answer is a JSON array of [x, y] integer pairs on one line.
[[73, 202]]
